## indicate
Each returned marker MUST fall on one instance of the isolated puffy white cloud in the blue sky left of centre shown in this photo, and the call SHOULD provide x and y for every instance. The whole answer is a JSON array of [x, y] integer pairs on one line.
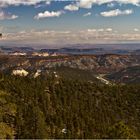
[[48, 14]]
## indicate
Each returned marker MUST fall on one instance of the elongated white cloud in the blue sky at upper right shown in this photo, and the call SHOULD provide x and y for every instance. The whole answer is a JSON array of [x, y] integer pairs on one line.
[[116, 12]]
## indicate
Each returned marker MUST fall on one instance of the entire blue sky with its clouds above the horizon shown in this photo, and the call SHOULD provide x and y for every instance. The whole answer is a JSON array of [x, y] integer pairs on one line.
[[43, 22]]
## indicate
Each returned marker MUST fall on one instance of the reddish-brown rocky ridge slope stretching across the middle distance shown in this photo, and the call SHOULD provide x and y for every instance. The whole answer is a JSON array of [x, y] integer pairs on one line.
[[96, 63]]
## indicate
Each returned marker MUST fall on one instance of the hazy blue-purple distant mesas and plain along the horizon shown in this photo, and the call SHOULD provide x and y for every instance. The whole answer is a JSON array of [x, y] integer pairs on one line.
[[81, 49]]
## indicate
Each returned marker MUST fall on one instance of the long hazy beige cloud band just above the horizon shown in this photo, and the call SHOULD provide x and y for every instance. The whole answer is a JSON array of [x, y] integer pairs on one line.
[[68, 37]]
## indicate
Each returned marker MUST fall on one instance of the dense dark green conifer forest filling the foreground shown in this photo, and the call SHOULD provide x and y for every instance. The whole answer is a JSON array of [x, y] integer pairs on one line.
[[55, 107]]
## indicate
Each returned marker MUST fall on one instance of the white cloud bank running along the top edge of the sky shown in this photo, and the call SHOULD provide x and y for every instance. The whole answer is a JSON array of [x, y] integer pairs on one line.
[[79, 3]]
